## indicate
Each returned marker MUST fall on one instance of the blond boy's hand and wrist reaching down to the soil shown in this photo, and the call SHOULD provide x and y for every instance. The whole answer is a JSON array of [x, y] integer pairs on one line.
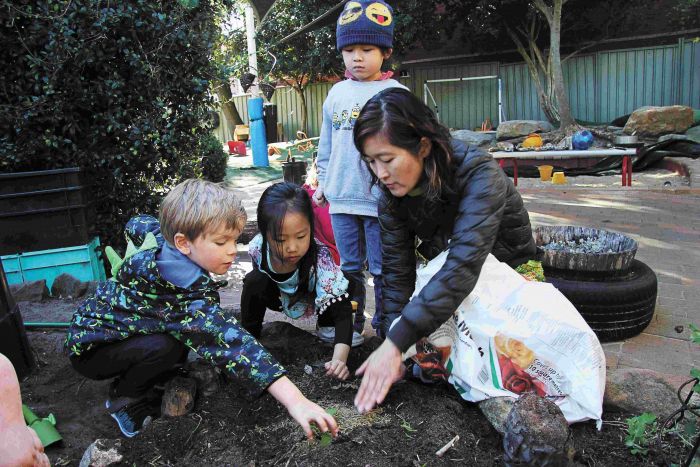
[[302, 410]]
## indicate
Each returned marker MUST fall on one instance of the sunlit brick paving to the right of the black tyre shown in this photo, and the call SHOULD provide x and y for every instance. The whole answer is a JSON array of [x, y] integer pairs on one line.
[[666, 226]]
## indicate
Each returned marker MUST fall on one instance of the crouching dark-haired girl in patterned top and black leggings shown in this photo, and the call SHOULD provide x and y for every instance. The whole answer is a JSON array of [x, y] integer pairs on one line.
[[295, 274]]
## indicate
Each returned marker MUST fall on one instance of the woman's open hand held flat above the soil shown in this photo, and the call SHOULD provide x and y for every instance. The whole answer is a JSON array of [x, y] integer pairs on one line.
[[380, 371]]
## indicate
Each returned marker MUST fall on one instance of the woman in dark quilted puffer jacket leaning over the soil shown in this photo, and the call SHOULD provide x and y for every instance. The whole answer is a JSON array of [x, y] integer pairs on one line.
[[439, 194]]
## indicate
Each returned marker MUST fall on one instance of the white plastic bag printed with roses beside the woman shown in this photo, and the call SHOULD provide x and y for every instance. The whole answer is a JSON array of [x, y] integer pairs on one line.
[[511, 336]]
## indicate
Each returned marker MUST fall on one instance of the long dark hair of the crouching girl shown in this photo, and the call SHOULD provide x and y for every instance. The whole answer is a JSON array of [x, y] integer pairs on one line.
[[276, 202]]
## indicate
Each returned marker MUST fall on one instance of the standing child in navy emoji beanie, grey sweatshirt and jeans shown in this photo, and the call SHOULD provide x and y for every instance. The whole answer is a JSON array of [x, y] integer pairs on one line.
[[364, 35]]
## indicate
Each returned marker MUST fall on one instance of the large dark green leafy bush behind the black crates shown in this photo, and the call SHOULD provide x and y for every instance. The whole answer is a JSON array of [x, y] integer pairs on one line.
[[119, 89]]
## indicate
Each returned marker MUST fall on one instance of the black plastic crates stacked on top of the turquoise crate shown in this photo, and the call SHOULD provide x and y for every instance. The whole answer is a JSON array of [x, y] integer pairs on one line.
[[43, 210]]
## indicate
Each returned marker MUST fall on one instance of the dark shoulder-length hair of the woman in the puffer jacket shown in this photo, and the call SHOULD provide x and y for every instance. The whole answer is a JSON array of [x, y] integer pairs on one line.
[[404, 120]]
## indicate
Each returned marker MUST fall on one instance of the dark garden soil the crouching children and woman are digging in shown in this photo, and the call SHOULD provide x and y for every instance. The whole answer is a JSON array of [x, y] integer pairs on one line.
[[228, 429]]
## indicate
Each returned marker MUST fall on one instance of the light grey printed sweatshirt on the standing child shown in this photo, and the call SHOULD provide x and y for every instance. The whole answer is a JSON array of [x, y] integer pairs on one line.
[[342, 175]]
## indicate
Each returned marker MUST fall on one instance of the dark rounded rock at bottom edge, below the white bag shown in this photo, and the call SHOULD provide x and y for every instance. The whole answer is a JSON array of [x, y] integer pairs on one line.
[[535, 432]]
